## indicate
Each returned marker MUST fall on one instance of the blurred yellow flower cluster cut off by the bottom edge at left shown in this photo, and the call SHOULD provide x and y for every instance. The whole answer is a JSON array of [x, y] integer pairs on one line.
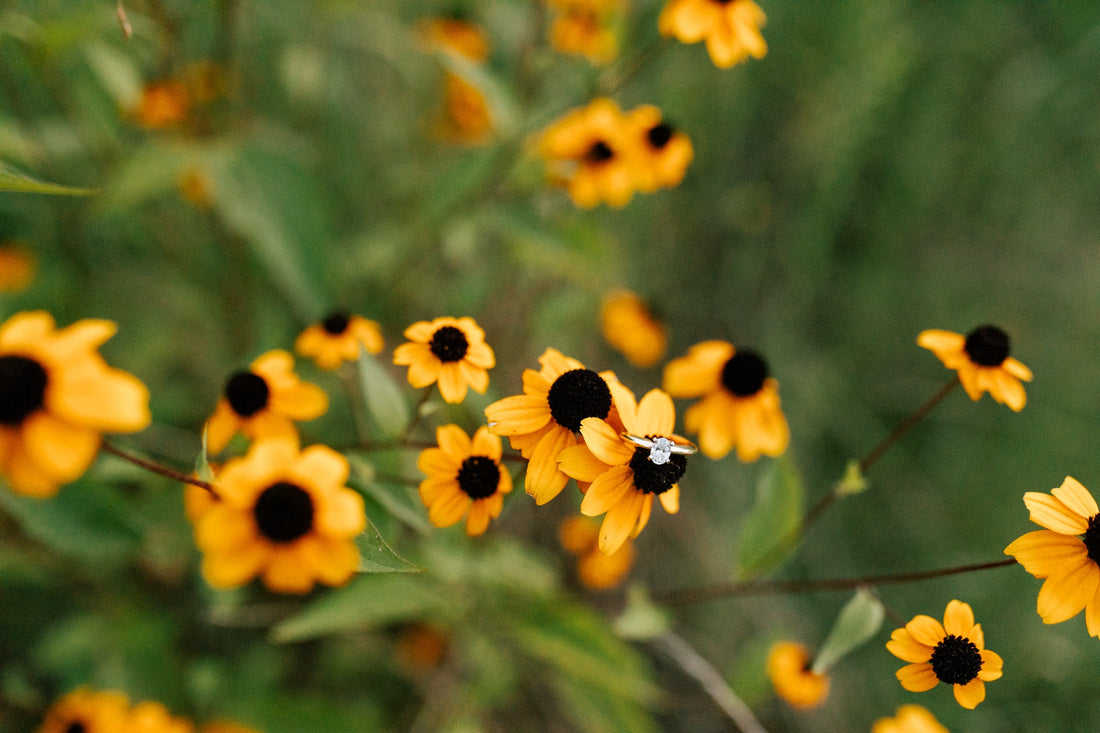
[[92, 712]]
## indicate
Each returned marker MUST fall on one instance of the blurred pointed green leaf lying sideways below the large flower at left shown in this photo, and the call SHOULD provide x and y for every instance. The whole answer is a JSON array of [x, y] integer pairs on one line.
[[367, 603]]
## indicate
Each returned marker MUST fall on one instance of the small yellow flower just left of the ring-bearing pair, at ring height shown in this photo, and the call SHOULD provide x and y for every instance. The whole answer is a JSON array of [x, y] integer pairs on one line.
[[465, 479]]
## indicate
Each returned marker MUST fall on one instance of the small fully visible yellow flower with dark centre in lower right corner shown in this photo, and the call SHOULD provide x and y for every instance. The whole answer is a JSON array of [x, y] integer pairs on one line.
[[953, 653]]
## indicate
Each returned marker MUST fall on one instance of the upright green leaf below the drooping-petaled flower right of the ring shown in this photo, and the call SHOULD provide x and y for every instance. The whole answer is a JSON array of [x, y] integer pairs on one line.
[[772, 527]]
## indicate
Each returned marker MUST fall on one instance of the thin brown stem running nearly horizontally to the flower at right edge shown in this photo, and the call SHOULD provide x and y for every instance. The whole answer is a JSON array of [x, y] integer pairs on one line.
[[699, 595]]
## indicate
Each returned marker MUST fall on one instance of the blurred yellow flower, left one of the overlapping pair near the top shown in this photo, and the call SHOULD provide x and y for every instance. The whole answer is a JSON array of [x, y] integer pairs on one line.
[[592, 152]]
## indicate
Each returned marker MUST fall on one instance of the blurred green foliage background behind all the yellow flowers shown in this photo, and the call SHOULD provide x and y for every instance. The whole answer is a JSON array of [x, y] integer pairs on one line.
[[889, 167]]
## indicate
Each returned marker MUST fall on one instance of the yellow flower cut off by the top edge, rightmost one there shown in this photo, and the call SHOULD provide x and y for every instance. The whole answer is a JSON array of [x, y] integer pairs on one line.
[[731, 28]]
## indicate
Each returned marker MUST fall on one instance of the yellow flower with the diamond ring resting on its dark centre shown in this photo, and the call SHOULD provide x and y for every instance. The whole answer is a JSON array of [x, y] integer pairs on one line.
[[626, 471]]
